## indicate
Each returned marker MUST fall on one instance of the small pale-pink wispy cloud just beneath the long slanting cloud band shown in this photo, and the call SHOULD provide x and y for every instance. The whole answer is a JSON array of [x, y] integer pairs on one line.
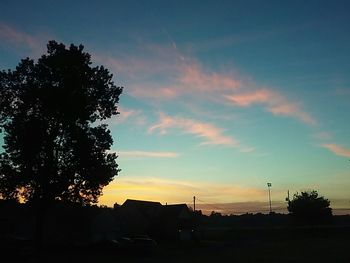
[[210, 134]]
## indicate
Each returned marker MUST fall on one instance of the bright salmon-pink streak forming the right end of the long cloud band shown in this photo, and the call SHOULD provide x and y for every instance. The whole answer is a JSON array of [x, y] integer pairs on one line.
[[274, 102]]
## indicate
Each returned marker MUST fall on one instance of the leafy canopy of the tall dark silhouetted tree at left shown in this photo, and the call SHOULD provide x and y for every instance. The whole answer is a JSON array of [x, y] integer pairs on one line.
[[53, 147]]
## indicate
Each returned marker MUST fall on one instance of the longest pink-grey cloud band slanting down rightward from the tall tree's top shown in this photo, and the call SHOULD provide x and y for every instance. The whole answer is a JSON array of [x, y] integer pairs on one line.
[[163, 73]]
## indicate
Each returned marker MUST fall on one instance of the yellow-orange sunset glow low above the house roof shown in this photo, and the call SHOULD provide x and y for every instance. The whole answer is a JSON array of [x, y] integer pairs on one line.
[[167, 191]]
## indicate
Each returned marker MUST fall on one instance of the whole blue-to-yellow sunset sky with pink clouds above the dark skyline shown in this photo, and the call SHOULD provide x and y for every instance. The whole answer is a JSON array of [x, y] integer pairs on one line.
[[220, 97]]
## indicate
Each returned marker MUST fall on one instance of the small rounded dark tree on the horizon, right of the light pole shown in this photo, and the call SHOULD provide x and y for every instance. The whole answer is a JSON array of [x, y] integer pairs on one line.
[[308, 207]]
